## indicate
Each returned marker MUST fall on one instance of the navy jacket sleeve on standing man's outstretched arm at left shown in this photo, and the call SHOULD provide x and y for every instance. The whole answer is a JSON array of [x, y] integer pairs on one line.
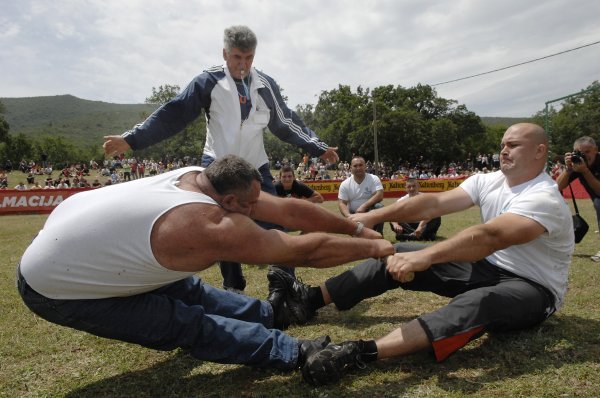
[[174, 116]]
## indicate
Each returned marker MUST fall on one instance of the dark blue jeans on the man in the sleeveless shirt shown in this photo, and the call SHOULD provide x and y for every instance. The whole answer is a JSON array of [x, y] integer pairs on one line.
[[213, 324]]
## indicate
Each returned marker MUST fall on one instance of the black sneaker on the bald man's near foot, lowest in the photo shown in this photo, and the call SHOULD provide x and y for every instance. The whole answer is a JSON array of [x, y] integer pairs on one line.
[[332, 362]]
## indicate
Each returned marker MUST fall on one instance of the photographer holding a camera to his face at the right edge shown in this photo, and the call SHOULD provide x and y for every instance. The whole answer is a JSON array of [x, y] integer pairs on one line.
[[584, 164]]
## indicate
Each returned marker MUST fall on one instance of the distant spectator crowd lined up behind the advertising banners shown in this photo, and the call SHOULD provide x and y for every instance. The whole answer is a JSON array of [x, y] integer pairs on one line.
[[123, 169]]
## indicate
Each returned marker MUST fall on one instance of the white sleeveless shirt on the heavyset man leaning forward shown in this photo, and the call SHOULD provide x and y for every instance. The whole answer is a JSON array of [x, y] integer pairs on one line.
[[96, 244]]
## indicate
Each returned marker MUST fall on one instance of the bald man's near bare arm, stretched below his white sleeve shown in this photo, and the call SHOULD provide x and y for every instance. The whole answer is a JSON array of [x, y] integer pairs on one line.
[[472, 244]]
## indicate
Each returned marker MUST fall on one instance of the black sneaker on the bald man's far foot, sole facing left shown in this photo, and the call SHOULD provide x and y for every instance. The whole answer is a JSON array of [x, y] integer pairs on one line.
[[296, 294]]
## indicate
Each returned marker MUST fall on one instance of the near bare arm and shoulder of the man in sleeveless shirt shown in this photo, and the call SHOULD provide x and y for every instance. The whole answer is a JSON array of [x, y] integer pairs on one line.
[[193, 237]]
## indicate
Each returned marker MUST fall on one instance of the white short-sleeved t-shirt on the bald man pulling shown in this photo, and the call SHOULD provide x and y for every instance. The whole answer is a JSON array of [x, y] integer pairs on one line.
[[546, 259]]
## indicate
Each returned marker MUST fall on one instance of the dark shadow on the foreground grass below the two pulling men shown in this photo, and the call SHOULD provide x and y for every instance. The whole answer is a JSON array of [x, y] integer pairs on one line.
[[560, 340]]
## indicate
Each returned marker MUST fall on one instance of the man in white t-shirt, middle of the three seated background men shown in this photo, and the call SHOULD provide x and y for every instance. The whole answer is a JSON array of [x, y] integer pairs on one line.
[[361, 192]]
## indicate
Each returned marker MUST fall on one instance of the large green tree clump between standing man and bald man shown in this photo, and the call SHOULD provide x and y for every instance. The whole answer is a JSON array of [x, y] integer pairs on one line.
[[409, 122]]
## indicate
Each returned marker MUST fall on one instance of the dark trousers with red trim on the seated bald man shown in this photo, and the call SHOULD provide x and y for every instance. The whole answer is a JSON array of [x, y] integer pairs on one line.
[[484, 298]]
